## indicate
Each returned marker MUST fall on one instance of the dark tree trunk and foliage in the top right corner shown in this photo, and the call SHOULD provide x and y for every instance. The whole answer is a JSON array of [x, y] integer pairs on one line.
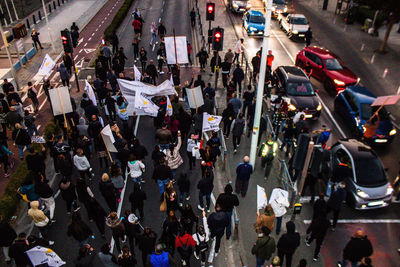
[[392, 9]]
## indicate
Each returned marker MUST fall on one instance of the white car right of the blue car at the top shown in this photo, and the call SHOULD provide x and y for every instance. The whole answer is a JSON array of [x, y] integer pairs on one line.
[[295, 25]]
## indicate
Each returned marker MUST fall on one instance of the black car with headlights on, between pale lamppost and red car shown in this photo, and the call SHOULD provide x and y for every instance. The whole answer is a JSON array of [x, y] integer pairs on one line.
[[294, 83]]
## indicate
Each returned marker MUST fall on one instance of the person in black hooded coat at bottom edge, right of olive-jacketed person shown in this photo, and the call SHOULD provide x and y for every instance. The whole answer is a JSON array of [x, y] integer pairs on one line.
[[288, 243]]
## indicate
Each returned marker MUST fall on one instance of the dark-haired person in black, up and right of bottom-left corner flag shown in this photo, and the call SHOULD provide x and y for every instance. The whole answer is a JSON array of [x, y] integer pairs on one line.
[[79, 230]]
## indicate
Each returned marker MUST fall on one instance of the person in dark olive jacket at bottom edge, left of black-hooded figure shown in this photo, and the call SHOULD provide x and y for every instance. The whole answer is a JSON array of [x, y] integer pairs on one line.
[[264, 247]]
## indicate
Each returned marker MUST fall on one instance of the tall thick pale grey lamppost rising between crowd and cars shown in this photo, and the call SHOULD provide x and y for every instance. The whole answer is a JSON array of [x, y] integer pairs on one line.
[[260, 87]]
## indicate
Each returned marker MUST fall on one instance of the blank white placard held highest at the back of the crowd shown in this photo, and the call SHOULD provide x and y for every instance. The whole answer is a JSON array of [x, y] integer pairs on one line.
[[181, 50]]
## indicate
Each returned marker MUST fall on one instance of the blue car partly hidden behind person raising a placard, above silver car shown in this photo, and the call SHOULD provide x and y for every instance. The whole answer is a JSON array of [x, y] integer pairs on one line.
[[354, 105]]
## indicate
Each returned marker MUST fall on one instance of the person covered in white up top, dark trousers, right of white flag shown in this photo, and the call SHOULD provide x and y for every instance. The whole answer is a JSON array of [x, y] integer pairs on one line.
[[279, 201]]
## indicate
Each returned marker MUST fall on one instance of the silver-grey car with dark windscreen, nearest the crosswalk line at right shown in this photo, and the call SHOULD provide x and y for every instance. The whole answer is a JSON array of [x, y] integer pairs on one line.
[[360, 168]]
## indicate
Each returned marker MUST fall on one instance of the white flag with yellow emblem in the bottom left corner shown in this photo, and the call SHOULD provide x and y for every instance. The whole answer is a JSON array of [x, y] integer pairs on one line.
[[41, 255]]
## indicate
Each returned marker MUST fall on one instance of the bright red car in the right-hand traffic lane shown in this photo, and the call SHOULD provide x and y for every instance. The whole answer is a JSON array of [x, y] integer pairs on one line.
[[326, 67]]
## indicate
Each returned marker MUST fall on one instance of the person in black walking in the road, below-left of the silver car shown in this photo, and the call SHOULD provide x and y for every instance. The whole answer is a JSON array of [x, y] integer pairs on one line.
[[317, 230]]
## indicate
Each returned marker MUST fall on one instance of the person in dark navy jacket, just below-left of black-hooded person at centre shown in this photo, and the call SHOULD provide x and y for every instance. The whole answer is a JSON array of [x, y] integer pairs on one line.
[[217, 222]]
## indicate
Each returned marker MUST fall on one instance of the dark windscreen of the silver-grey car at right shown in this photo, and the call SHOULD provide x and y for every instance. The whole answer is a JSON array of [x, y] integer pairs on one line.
[[369, 171]]
